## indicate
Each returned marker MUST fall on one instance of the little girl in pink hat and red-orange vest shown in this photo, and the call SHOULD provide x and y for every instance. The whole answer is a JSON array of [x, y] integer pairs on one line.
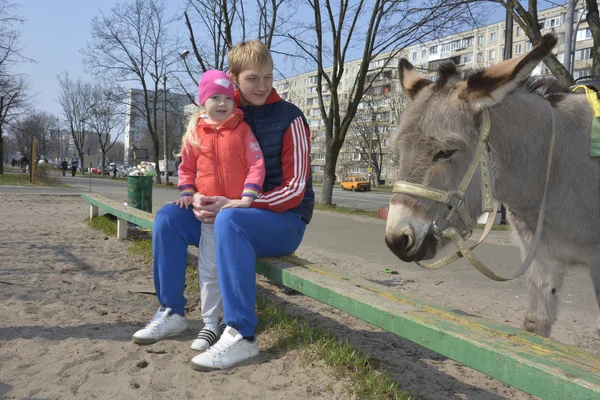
[[220, 157]]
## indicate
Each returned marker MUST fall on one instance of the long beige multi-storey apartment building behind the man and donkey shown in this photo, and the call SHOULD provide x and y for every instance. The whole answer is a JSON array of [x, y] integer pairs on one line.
[[382, 105]]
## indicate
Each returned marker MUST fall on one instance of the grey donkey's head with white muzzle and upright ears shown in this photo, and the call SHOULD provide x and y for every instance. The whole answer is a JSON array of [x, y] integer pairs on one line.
[[436, 141]]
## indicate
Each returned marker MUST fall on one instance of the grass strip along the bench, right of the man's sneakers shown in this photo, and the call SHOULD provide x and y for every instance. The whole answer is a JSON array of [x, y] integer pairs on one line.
[[286, 332]]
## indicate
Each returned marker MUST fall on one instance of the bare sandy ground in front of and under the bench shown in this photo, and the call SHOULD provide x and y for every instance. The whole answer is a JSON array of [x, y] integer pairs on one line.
[[71, 301]]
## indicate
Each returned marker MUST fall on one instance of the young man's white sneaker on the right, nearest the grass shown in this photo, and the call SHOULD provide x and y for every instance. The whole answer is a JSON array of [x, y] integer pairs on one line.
[[231, 349]]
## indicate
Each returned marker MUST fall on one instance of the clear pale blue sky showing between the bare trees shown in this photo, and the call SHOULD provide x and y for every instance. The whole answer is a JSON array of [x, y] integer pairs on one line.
[[54, 35]]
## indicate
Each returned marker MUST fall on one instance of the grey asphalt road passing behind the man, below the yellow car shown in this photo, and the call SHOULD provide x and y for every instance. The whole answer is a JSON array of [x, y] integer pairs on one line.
[[161, 195]]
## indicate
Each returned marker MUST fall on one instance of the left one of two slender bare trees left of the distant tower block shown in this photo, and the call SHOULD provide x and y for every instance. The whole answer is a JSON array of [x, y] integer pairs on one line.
[[75, 98]]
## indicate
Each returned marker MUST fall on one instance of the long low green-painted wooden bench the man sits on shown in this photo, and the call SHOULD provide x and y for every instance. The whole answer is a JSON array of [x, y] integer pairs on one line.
[[536, 365]]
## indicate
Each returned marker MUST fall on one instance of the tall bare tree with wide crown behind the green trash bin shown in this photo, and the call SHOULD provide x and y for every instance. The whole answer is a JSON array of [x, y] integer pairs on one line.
[[133, 45]]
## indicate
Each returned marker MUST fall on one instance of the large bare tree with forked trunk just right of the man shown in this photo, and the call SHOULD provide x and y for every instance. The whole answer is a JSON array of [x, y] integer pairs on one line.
[[379, 26]]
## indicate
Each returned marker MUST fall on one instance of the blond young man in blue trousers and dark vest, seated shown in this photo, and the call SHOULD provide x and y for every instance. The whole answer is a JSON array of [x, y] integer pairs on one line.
[[273, 226]]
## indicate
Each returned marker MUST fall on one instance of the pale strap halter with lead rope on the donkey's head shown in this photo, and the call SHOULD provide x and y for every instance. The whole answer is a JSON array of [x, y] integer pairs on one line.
[[455, 201]]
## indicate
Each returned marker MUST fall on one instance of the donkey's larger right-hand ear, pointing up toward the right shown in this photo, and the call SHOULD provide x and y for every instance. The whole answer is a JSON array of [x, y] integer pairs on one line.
[[489, 86]]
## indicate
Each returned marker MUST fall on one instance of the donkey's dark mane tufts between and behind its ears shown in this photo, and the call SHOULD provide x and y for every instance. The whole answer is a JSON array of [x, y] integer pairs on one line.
[[547, 87]]
